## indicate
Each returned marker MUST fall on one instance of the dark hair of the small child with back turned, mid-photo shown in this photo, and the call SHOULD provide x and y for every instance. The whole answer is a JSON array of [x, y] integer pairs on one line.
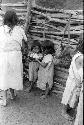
[[49, 46]]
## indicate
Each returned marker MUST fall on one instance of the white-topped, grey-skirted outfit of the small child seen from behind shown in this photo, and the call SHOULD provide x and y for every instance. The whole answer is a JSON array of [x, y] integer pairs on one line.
[[45, 75]]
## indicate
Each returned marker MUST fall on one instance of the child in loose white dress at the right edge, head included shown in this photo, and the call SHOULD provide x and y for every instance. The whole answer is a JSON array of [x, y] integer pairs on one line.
[[74, 82]]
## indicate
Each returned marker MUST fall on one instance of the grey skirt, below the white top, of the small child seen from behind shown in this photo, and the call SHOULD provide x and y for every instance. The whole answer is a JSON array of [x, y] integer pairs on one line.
[[45, 76]]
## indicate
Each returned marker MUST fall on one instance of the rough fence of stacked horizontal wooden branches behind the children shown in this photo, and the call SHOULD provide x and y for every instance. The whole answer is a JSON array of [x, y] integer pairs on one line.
[[50, 24]]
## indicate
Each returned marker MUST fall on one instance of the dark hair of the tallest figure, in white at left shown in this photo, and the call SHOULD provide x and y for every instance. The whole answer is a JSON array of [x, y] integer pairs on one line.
[[10, 18]]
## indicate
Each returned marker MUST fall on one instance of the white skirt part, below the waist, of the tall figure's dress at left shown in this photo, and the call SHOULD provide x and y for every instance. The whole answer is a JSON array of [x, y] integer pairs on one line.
[[11, 70]]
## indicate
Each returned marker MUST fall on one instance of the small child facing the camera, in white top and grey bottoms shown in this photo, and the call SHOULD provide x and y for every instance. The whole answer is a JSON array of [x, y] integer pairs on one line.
[[34, 65]]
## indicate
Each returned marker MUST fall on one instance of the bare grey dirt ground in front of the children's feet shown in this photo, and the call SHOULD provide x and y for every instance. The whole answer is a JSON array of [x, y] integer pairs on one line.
[[30, 109]]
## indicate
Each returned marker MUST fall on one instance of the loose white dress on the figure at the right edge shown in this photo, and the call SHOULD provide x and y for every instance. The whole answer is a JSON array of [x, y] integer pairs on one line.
[[75, 76]]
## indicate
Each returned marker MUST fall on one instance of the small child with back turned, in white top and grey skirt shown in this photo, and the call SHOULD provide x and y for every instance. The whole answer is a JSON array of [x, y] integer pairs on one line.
[[46, 68]]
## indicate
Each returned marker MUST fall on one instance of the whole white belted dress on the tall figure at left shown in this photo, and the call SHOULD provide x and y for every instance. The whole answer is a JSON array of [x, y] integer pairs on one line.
[[11, 67]]
